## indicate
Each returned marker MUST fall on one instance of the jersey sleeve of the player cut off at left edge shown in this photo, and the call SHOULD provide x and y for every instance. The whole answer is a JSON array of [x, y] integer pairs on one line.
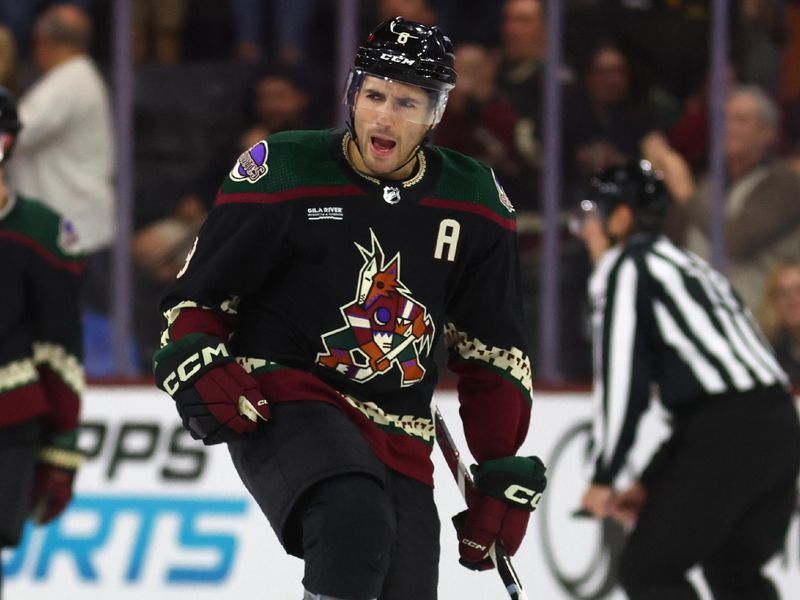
[[54, 283]]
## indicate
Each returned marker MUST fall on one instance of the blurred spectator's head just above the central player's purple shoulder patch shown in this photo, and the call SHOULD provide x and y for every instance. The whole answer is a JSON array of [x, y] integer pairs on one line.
[[280, 101]]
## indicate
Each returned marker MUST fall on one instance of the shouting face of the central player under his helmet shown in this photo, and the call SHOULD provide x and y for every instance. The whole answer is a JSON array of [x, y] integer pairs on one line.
[[390, 120]]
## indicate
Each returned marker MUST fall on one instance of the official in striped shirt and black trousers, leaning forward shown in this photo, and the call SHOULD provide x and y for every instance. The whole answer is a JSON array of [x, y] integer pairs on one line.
[[721, 490]]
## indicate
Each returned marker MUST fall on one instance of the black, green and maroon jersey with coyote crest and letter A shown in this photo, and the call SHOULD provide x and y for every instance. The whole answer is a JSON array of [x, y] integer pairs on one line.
[[336, 287]]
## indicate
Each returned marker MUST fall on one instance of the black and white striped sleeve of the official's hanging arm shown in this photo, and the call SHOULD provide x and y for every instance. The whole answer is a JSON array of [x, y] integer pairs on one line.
[[622, 392]]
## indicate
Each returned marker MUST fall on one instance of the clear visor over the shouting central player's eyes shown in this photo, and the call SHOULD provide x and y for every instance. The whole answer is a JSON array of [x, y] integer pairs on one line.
[[395, 99]]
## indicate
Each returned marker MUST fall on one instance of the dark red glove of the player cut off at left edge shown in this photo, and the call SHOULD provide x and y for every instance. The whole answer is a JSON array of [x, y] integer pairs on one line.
[[54, 476]]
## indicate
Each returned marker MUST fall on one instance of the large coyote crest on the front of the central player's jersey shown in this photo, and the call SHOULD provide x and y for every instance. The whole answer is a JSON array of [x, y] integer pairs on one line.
[[384, 327]]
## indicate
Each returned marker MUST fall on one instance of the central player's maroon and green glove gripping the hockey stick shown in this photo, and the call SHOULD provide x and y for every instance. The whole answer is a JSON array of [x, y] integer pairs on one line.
[[507, 490]]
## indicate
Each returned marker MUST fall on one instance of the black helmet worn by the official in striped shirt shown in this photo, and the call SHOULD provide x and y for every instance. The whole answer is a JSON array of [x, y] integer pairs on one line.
[[636, 184]]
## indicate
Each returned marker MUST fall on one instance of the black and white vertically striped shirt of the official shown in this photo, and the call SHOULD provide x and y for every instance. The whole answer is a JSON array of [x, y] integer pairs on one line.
[[663, 316]]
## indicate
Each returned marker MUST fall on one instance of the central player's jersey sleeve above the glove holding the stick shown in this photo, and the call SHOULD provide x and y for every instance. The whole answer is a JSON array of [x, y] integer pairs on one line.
[[487, 350]]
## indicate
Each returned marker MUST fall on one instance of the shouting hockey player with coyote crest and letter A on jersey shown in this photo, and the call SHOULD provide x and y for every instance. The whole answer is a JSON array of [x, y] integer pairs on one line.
[[301, 331]]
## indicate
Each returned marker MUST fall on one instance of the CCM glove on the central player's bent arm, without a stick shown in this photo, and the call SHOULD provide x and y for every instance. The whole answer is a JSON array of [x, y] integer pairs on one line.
[[216, 398]]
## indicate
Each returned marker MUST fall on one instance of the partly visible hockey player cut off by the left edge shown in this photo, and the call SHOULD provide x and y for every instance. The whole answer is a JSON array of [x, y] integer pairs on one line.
[[41, 376]]
